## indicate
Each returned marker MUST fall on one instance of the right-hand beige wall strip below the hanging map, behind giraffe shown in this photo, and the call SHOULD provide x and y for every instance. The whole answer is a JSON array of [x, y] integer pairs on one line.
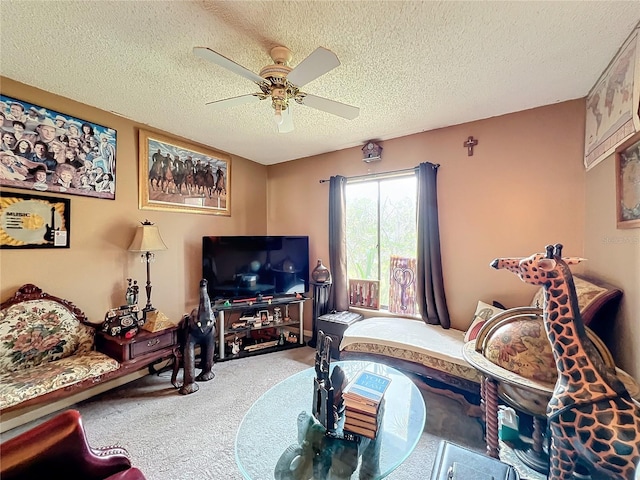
[[614, 255]]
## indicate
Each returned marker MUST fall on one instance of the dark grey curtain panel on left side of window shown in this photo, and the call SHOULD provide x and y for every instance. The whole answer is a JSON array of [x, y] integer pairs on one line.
[[339, 295]]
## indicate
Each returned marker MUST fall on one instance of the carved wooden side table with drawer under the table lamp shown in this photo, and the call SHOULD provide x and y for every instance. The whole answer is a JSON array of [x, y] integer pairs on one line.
[[143, 350]]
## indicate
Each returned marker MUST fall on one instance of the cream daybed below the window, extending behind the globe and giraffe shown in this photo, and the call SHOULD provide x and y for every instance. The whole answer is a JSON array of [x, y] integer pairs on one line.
[[436, 353]]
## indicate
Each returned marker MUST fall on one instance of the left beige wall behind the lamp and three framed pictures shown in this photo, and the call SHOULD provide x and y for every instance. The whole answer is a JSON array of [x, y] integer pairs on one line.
[[93, 272]]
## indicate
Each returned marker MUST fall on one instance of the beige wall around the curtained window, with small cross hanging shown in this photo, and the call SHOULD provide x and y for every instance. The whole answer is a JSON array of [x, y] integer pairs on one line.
[[522, 189]]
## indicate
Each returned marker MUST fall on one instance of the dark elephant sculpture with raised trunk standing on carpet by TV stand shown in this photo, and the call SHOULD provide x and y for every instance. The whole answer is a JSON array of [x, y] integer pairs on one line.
[[199, 328]]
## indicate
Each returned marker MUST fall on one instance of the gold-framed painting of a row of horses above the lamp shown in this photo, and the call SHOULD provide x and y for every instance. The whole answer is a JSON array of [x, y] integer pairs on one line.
[[180, 177]]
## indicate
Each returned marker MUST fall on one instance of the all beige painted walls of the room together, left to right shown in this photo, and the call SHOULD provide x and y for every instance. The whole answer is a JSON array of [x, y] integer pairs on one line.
[[524, 187]]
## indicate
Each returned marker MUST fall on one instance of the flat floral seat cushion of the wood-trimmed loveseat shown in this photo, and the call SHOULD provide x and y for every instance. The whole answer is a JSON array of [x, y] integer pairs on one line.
[[25, 384]]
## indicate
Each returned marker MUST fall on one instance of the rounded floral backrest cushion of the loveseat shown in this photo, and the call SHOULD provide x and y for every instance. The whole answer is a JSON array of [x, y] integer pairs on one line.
[[37, 331]]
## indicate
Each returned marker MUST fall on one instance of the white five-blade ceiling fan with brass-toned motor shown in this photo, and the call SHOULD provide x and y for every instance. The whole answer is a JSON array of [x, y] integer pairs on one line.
[[281, 84]]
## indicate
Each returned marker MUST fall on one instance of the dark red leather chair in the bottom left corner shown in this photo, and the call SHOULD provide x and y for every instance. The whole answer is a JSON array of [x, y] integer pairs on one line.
[[58, 449]]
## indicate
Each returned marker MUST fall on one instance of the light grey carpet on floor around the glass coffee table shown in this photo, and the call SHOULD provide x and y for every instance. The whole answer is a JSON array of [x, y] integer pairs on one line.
[[173, 437]]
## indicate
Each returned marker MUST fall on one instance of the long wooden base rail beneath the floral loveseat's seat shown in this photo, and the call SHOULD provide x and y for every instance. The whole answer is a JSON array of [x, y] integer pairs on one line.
[[16, 418]]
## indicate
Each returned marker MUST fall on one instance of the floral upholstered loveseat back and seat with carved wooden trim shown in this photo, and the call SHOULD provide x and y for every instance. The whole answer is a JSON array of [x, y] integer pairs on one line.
[[46, 350]]
